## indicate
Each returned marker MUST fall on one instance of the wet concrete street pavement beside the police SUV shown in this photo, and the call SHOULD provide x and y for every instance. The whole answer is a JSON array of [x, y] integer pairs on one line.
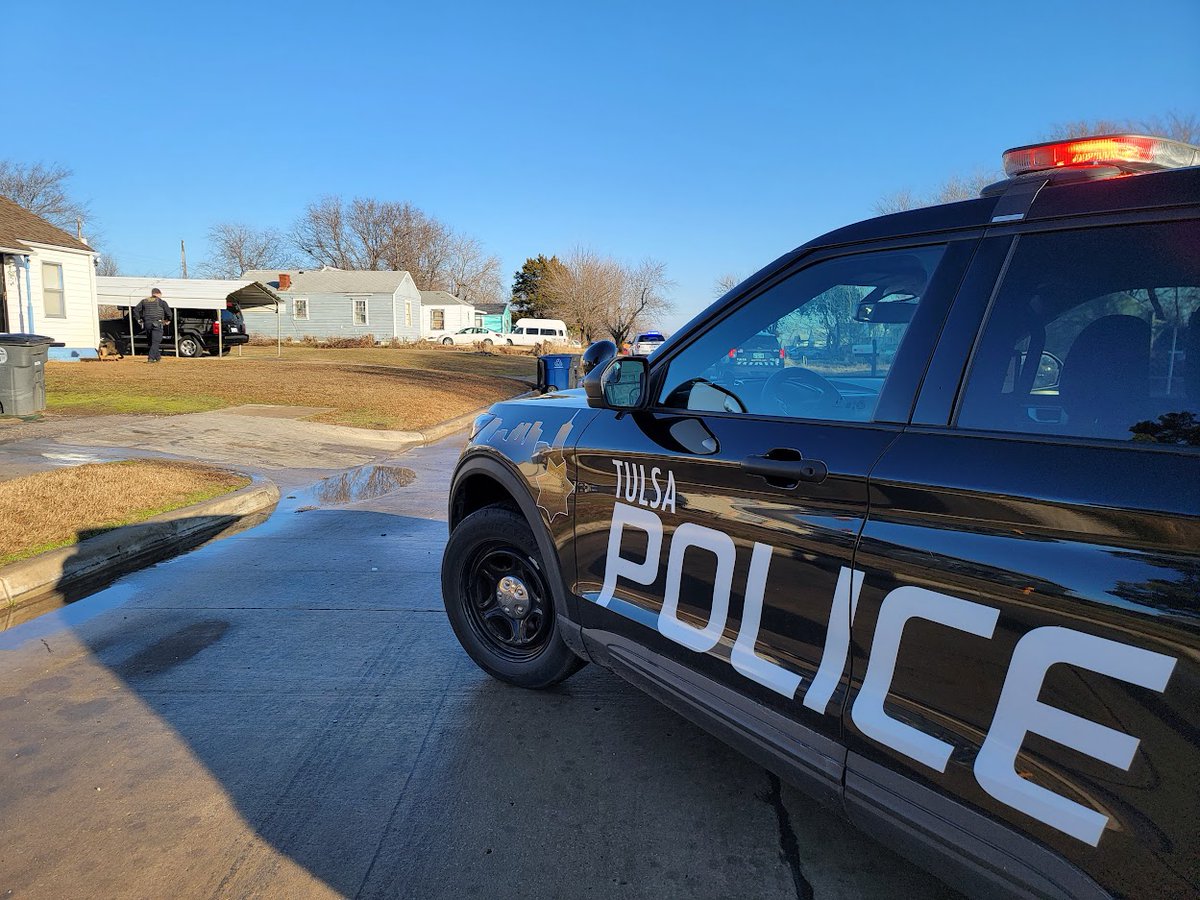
[[286, 713]]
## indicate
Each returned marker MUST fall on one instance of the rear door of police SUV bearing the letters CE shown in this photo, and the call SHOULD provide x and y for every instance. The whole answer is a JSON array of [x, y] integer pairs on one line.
[[1027, 638]]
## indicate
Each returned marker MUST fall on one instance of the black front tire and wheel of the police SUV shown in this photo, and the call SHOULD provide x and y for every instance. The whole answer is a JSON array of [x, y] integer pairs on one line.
[[518, 645]]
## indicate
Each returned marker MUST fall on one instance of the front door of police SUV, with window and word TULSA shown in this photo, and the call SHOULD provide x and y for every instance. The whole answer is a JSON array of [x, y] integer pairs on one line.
[[716, 532]]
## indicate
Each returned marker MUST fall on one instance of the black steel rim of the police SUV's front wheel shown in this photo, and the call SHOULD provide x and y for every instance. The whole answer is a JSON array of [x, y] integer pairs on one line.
[[507, 602]]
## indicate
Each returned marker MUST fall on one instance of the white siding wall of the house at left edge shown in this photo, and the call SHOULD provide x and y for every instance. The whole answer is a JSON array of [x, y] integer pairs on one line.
[[81, 326]]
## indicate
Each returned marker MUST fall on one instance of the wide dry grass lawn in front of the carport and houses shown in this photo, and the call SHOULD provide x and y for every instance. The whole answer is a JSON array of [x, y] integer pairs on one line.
[[361, 393]]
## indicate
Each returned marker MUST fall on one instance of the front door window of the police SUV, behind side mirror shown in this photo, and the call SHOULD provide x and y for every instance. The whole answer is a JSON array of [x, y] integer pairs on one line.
[[817, 346]]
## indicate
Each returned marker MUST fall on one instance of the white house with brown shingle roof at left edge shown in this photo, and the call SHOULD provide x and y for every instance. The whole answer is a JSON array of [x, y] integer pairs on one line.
[[49, 285]]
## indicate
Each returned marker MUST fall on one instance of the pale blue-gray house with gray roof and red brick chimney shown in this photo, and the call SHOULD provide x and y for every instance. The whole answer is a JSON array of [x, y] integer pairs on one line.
[[338, 303]]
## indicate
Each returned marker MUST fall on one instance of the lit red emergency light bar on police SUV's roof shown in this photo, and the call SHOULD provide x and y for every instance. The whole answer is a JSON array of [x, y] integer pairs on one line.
[[1130, 153]]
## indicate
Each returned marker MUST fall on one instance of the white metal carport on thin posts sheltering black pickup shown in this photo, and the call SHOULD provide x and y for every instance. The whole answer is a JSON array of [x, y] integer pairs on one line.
[[127, 292]]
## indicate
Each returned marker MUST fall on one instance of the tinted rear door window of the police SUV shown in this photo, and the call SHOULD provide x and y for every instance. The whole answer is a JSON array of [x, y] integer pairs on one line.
[[1095, 334]]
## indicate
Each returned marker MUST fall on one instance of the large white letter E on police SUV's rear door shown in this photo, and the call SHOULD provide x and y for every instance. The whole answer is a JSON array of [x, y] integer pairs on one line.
[[1021, 712]]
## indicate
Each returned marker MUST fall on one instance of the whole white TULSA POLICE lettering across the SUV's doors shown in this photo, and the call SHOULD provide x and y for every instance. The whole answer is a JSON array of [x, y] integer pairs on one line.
[[1018, 713]]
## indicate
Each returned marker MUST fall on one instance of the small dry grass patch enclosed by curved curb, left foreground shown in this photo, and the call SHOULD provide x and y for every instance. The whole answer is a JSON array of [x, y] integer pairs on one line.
[[61, 508]]
